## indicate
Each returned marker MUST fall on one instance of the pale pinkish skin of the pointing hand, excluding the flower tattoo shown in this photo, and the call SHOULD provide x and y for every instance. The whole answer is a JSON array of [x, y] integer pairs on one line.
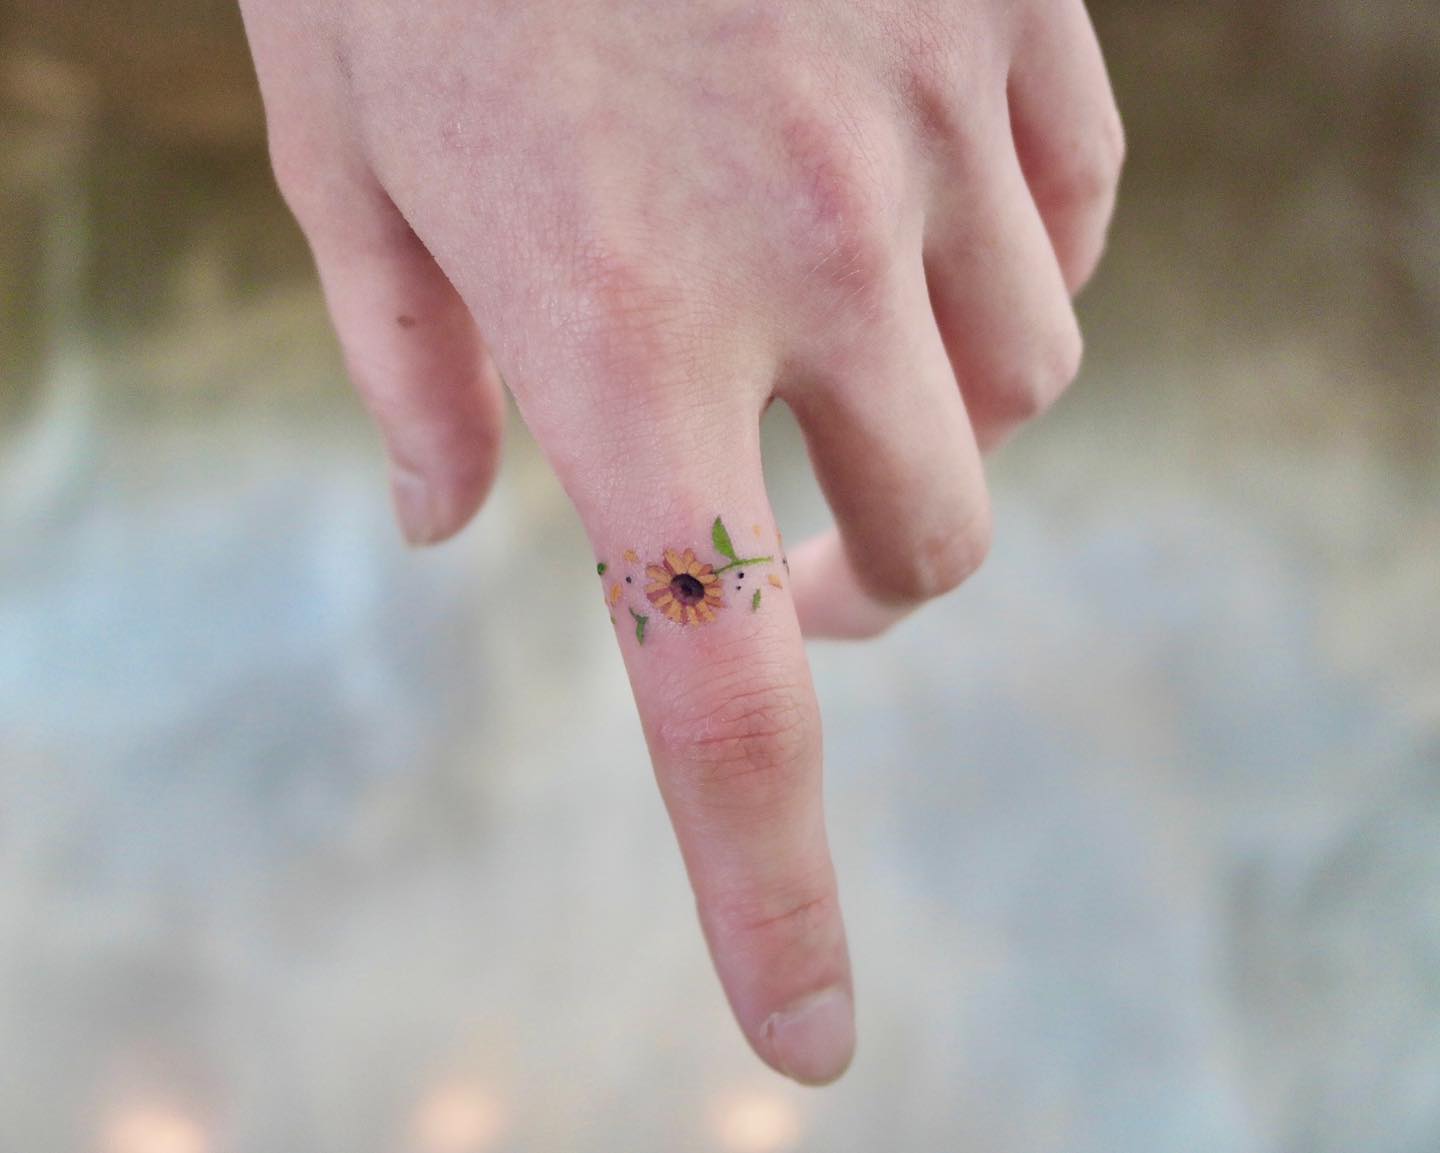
[[654, 218]]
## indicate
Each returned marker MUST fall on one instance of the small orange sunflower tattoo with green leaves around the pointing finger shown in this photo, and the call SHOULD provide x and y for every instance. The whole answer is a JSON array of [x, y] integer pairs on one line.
[[686, 589]]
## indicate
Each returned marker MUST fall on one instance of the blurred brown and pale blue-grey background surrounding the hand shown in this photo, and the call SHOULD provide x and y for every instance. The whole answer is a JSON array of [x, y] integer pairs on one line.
[[1140, 833]]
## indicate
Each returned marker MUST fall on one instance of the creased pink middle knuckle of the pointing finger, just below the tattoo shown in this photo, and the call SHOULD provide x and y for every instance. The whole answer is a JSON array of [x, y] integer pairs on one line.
[[748, 739]]
